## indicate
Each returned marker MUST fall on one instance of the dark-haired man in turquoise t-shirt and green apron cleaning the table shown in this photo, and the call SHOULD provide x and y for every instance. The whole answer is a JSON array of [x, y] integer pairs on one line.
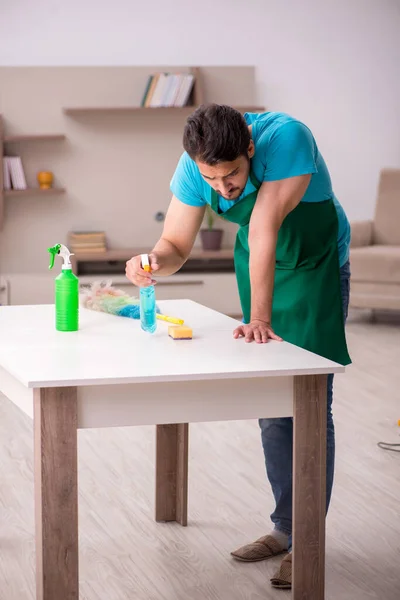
[[265, 173]]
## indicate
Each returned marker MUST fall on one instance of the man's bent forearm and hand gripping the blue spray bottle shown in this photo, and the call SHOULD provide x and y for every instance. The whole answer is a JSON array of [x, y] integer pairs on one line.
[[181, 226]]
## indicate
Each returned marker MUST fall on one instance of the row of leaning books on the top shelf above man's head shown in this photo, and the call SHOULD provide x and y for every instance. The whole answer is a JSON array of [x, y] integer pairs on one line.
[[168, 89]]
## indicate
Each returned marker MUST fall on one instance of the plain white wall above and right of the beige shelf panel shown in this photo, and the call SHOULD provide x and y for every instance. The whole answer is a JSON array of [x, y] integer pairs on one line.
[[335, 64]]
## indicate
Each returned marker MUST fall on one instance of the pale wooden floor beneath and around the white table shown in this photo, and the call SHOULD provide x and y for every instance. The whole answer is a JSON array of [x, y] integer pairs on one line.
[[125, 555]]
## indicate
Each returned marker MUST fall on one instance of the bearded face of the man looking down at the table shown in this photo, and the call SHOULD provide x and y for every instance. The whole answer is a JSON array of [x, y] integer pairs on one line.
[[227, 178]]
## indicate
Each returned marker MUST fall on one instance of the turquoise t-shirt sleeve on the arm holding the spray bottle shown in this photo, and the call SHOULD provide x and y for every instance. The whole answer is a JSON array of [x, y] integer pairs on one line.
[[185, 182]]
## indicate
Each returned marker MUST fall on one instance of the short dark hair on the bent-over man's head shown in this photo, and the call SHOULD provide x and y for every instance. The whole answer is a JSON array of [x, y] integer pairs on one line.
[[216, 133]]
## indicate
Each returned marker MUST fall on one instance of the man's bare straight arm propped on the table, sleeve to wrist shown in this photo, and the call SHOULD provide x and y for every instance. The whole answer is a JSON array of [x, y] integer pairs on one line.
[[275, 200]]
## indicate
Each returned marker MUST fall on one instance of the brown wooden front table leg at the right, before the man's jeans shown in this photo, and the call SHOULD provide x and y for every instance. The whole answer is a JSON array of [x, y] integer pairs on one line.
[[309, 487]]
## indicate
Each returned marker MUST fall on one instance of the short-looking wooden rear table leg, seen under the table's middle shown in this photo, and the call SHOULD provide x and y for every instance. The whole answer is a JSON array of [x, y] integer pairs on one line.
[[172, 446]]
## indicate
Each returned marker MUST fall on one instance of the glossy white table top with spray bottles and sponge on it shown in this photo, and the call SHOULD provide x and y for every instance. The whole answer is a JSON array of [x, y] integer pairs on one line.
[[112, 350]]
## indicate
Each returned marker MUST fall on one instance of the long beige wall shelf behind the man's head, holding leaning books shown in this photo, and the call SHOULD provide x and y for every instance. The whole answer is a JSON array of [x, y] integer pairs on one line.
[[88, 110]]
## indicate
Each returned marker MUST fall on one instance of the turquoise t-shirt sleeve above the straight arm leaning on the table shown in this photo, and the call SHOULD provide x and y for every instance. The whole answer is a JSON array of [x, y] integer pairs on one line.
[[290, 152]]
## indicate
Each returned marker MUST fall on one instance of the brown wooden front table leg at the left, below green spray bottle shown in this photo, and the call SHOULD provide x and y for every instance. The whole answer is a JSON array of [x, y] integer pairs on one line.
[[56, 493]]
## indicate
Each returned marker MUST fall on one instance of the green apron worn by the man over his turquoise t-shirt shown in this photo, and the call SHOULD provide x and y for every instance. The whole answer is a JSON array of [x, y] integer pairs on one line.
[[307, 306]]
